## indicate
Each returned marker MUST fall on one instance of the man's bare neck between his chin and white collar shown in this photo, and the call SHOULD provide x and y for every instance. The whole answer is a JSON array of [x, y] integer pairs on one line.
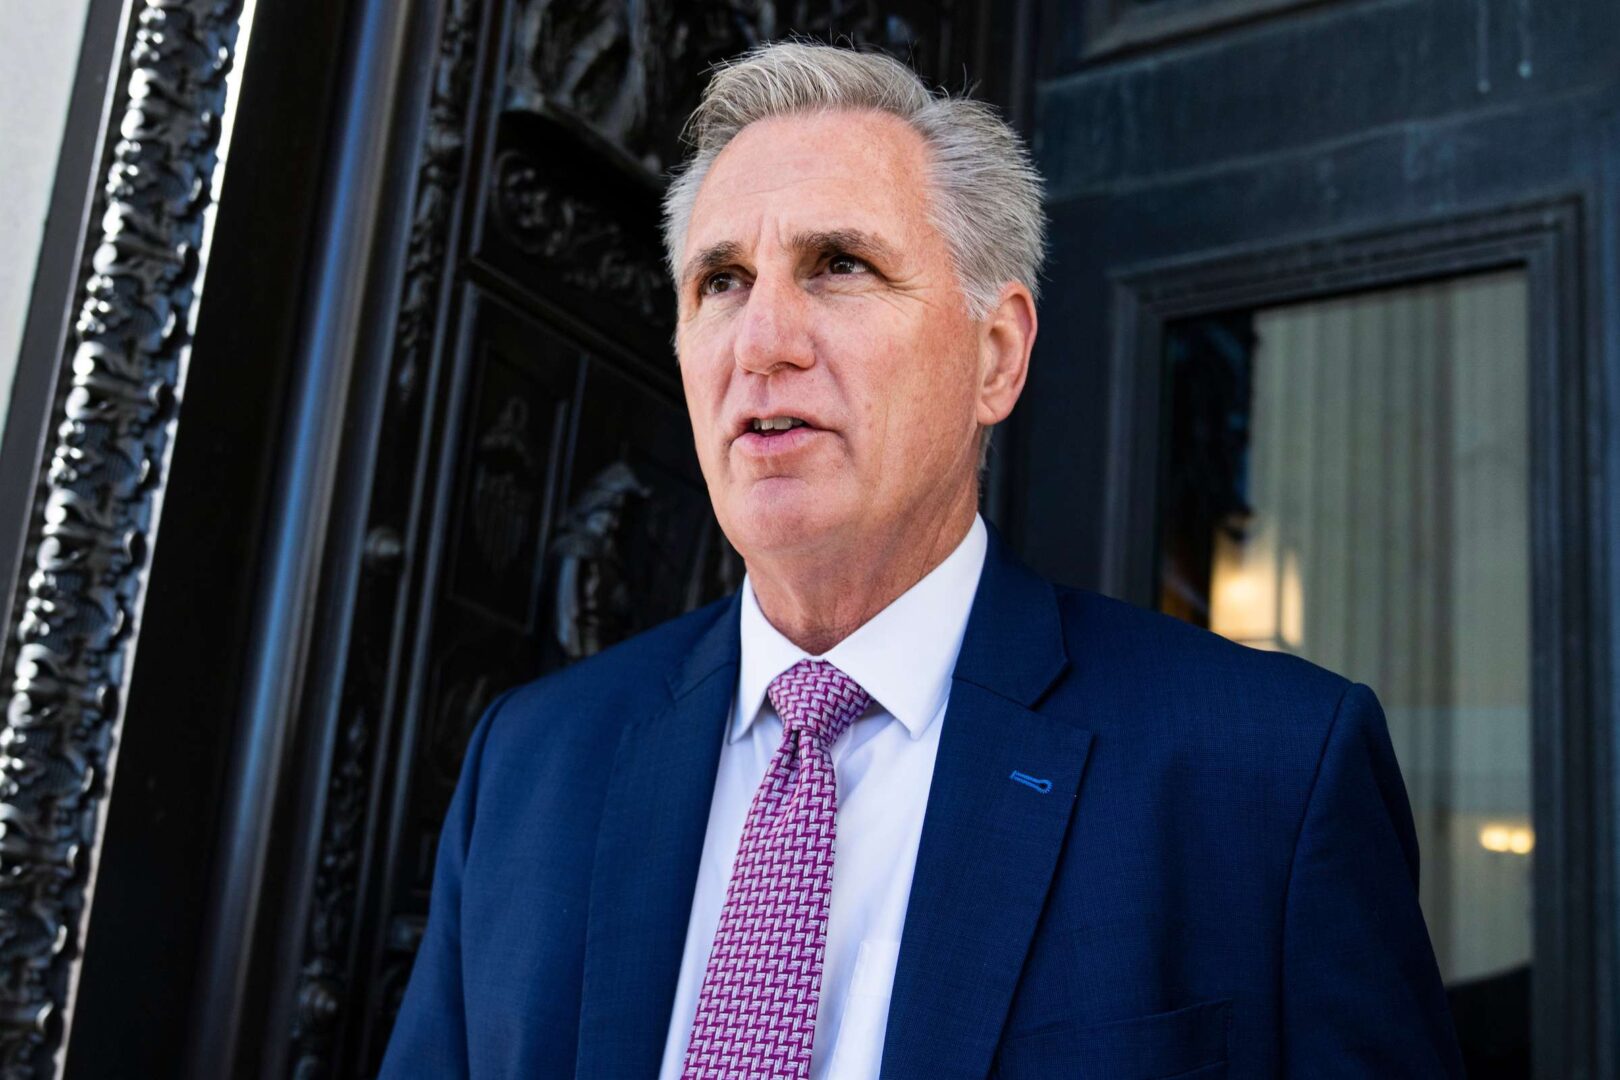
[[819, 603]]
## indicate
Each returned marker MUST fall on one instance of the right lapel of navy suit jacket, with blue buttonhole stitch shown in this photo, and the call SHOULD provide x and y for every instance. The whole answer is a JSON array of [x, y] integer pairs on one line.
[[989, 841]]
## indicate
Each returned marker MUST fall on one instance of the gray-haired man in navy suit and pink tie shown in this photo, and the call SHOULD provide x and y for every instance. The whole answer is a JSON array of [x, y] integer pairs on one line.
[[902, 806]]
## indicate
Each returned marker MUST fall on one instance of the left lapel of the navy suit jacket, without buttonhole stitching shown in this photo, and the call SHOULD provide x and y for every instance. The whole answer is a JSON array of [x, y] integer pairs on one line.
[[647, 862]]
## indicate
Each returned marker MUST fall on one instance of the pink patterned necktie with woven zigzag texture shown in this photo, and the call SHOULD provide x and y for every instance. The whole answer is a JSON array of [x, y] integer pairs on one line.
[[764, 980]]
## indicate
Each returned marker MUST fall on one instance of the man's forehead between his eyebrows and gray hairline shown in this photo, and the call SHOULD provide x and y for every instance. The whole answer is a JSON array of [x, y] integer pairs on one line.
[[840, 169]]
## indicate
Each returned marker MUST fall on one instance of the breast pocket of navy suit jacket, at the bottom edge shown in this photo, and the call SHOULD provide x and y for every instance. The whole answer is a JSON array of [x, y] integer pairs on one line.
[[1185, 1045]]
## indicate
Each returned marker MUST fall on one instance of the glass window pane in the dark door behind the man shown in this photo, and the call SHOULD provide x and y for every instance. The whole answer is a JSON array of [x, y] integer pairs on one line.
[[1350, 482]]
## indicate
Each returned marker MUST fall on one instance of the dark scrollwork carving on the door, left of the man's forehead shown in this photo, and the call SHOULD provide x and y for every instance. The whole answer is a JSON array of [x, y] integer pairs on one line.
[[584, 239]]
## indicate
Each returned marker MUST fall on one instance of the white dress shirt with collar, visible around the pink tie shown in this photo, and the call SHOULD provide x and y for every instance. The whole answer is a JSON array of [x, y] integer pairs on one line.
[[903, 658]]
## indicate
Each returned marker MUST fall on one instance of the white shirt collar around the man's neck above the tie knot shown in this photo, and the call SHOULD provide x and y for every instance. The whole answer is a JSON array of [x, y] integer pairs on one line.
[[903, 657]]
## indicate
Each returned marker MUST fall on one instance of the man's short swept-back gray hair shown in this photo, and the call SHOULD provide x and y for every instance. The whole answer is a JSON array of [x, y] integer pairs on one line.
[[987, 193]]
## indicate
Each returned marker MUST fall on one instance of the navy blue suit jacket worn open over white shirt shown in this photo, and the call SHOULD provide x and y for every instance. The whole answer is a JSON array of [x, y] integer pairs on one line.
[[1221, 880]]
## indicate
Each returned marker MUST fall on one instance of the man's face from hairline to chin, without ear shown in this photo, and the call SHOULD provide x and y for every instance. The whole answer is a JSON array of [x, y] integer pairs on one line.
[[816, 289]]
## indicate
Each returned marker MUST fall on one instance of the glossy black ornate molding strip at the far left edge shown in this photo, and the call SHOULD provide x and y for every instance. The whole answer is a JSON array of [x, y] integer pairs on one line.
[[96, 509]]
